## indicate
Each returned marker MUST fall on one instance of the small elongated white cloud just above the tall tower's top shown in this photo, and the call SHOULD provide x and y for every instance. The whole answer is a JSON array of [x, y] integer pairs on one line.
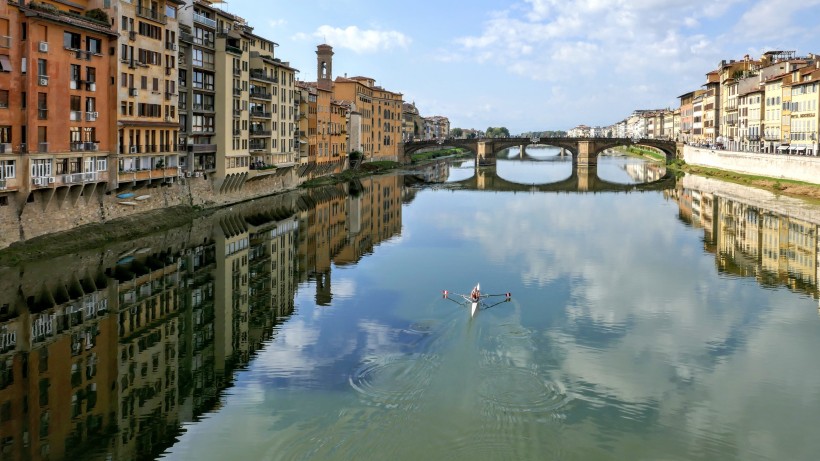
[[358, 40]]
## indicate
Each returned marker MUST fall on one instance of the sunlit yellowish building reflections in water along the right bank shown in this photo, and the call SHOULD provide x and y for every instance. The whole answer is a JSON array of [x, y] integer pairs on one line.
[[776, 247]]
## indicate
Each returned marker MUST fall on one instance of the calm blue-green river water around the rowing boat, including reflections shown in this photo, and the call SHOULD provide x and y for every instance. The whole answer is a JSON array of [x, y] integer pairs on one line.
[[677, 324]]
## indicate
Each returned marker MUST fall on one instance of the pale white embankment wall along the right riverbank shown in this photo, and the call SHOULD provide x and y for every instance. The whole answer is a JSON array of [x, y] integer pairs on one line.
[[796, 167]]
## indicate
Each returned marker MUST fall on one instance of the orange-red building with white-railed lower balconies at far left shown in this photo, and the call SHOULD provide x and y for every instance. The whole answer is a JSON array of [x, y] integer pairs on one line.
[[56, 117]]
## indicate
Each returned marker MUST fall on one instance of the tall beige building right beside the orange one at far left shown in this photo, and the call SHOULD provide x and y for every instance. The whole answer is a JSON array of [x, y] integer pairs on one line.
[[146, 89]]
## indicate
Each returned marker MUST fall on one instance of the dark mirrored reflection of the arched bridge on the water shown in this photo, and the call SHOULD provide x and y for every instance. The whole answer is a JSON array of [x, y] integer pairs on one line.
[[584, 178]]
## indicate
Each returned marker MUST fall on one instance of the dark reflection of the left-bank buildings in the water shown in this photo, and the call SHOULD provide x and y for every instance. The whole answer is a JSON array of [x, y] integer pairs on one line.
[[105, 355]]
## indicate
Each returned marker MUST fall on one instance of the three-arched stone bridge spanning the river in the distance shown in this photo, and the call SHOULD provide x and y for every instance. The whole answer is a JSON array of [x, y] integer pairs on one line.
[[583, 150]]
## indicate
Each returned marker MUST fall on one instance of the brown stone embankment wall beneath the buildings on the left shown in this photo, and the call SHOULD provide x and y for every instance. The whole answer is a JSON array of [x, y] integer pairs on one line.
[[49, 210]]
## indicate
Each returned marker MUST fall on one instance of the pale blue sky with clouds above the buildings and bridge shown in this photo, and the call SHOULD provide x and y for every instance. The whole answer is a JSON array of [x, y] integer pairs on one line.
[[532, 65]]
